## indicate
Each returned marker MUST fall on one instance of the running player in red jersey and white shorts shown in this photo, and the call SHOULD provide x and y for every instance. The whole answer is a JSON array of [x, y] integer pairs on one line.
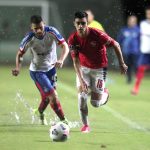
[[88, 51]]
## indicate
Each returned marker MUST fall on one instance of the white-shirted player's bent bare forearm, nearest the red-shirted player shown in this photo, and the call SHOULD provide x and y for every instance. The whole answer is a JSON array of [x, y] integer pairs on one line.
[[63, 55]]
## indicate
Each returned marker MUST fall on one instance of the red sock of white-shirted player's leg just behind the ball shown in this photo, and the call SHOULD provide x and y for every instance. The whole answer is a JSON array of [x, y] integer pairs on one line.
[[58, 109]]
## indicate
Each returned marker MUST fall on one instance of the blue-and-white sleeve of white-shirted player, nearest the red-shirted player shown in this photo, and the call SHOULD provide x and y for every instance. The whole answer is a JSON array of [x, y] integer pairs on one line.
[[58, 37]]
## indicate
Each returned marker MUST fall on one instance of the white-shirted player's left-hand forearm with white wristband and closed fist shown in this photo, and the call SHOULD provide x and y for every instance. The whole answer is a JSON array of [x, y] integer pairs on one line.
[[16, 71]]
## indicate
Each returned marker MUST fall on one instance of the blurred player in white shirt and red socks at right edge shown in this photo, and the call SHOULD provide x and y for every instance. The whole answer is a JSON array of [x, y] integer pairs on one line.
[[144, 60]]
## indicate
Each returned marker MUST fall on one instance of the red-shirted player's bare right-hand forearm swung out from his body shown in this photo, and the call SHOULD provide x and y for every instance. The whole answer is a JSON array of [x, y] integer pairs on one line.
[[123, 66]]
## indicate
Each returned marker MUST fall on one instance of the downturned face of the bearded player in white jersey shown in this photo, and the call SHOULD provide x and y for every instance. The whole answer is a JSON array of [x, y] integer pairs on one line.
[[38, 29]]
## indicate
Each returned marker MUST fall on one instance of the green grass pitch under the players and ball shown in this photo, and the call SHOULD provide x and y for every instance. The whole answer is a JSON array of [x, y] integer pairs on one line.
[[123, 124]]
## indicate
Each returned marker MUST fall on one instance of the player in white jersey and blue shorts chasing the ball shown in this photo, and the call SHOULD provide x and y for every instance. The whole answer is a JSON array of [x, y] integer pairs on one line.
[[42, 42]]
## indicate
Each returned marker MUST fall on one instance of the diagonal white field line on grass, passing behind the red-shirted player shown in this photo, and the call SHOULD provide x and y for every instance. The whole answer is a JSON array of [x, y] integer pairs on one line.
[[116, 114]]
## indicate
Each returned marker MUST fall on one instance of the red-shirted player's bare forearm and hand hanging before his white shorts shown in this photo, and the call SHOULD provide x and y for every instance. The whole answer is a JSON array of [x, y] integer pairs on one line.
[[76, 63]]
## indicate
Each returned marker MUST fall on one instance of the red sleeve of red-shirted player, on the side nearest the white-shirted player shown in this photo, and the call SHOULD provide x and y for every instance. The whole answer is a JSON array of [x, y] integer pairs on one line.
[[72, 46]]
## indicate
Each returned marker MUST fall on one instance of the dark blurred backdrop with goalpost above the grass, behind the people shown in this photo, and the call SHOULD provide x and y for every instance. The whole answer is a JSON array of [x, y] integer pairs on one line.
[[15, 20]]
